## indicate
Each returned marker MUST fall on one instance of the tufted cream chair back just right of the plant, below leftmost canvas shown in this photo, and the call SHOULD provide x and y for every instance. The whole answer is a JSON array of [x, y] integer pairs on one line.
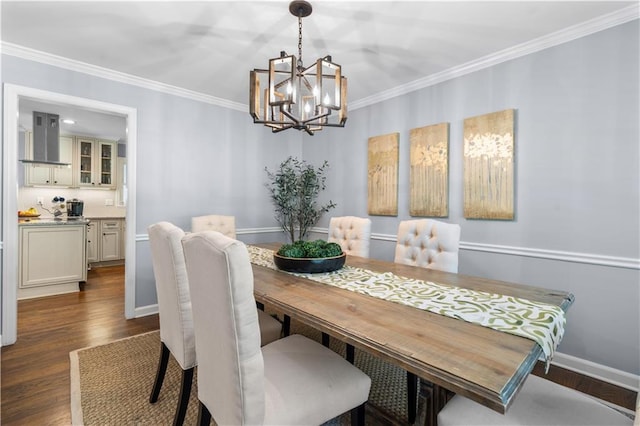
[[352, 233]]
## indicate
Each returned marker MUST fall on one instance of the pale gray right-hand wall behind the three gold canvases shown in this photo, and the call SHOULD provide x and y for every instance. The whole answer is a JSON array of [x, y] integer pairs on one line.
[[577, 185]]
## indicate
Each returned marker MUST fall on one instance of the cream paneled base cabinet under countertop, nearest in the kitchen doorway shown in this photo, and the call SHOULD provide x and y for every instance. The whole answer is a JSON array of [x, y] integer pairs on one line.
[[52, 259]]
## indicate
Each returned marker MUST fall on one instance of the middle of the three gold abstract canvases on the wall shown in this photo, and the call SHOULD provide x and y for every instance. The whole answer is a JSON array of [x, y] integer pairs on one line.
[[429, 173]]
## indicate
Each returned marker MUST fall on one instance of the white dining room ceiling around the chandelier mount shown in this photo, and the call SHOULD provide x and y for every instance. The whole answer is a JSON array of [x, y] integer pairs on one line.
[[210, 46]]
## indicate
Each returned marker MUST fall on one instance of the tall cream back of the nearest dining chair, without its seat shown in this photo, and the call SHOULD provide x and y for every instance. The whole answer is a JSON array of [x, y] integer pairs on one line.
[[231, 367]]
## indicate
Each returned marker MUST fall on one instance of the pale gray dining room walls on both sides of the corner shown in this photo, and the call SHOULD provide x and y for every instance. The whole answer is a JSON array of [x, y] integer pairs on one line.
[[577, 161]]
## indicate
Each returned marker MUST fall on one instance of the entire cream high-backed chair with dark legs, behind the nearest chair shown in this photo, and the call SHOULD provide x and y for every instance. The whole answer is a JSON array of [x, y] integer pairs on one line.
[[174, 306]]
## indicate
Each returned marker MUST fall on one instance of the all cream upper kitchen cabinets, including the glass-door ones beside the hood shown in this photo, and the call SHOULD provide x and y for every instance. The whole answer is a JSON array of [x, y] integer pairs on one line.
[[93, 164]]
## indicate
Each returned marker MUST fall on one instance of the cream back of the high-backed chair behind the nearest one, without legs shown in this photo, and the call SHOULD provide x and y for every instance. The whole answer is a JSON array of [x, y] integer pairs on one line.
[[172, 288]]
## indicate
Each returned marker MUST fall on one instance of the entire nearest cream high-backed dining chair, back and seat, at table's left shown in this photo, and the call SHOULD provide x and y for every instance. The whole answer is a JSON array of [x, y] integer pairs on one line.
[[291, 381]]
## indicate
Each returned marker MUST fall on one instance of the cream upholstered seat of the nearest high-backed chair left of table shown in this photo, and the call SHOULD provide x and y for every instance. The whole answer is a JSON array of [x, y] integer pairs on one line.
[[298, 370]]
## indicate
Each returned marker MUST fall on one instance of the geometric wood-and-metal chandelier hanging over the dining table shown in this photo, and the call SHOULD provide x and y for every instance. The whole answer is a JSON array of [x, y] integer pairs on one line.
[[288, 95]]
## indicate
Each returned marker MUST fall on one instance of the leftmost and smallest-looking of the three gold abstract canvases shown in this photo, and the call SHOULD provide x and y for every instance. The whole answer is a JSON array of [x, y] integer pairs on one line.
[[383, 175]]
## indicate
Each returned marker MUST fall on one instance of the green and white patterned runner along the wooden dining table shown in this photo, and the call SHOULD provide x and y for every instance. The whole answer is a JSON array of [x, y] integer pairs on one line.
[[540, 322]]
